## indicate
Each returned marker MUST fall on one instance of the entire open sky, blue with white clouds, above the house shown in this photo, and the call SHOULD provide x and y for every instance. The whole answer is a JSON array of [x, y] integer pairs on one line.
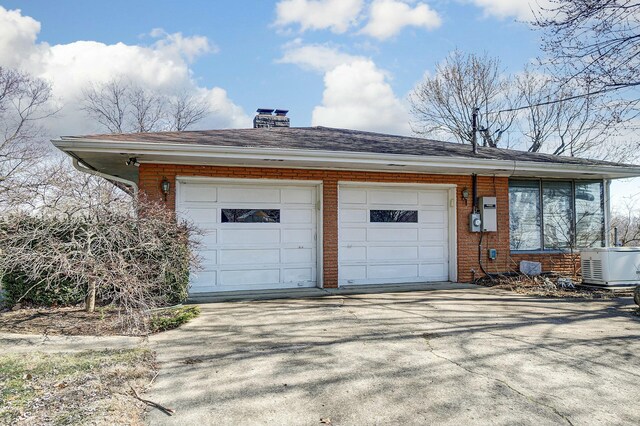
[[340, 63]]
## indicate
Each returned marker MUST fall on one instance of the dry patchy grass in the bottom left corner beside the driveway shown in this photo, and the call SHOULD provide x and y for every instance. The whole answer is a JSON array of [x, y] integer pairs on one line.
[[88, 387]]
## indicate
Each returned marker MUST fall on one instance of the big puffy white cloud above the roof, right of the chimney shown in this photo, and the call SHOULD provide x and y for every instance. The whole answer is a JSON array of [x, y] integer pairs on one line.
[[357, 95]]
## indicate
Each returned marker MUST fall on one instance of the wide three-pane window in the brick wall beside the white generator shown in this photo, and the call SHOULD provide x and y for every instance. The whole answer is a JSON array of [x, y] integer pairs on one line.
[[555, 215]]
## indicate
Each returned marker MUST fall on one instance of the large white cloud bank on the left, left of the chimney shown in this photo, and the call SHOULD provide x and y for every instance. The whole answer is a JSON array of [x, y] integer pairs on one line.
[[162, 66]]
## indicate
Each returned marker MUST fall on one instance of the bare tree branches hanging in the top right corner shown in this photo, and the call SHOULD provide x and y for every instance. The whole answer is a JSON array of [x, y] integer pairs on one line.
[[593, 41]]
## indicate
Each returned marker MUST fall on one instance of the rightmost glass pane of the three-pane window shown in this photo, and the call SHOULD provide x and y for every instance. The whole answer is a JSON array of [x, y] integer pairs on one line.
[[589, 214]]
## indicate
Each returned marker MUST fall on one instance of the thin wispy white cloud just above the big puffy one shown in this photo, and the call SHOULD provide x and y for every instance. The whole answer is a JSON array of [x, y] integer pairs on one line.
[[315, 57]]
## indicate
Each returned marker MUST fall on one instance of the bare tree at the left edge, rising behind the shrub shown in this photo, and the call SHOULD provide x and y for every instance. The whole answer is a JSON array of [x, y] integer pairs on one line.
[[24, 104]]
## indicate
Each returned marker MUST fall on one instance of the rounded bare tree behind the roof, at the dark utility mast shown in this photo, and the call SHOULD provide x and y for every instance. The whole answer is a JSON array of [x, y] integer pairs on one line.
[[445, 101]]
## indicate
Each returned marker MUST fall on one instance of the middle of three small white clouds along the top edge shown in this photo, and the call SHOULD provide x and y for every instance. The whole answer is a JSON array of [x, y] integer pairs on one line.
[[388, 17]]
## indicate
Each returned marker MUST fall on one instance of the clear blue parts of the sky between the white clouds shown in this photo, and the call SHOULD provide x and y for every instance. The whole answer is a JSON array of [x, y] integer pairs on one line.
[[248, 44]]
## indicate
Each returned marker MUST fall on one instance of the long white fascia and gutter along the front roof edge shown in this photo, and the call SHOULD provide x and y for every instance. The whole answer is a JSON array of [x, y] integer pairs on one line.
[[335, 158]]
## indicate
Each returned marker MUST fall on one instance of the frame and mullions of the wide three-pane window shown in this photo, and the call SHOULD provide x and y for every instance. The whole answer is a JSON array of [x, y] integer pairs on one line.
[[573, 230]]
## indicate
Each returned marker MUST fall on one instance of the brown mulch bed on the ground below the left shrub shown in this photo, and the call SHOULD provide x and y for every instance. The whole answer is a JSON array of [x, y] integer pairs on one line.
[[62, 321]]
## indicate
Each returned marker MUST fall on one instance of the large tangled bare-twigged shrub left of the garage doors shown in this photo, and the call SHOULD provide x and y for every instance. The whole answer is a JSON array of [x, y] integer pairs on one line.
[[137, 260]]
